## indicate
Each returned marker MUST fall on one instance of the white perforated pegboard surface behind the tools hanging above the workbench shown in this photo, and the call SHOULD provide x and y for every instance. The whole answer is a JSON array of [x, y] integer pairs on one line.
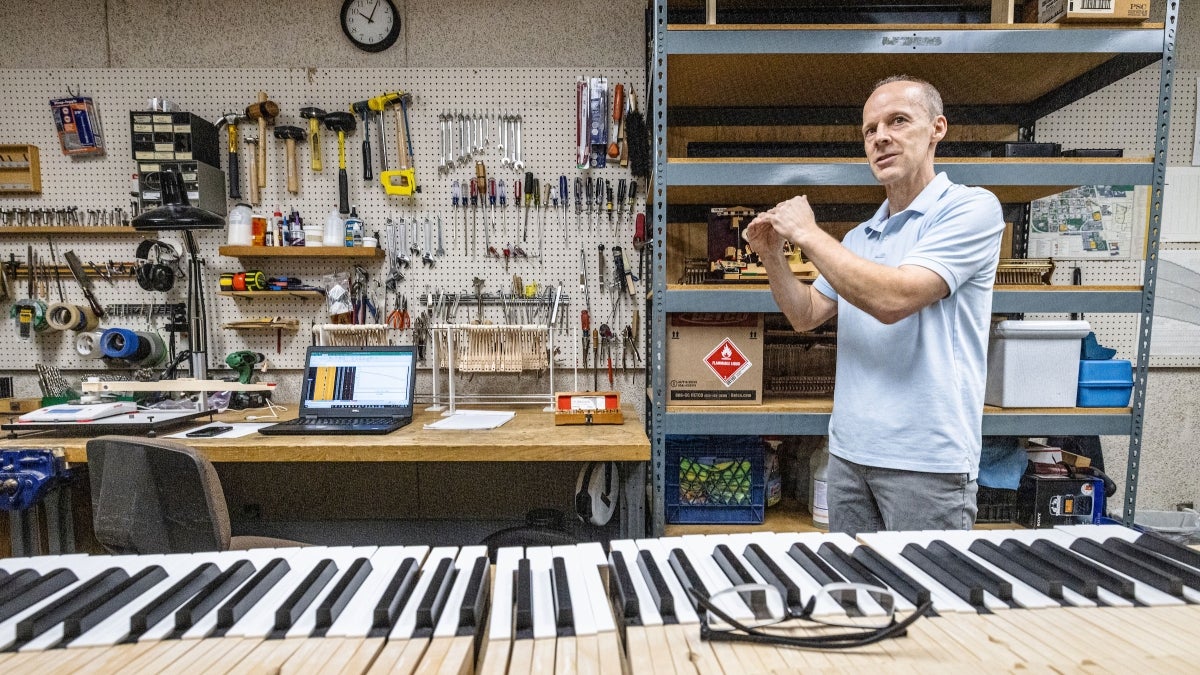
[[544, 98]]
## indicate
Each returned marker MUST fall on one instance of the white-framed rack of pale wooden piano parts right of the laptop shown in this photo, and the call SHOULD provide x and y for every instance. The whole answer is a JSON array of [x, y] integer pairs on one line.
[[475, 348]]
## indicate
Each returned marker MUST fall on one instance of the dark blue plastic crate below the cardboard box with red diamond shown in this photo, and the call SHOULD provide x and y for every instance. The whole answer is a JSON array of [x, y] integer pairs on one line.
[[715, 480]]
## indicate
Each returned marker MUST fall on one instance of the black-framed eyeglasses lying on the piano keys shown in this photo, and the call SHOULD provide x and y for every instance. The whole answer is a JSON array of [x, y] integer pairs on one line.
[[743, 613]]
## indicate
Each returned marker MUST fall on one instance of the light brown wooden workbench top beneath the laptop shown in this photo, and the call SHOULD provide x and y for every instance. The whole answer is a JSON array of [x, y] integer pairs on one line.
[[530, 437]]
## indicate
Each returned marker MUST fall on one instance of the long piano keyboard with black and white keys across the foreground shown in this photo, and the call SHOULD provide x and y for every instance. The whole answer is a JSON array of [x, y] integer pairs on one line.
[[1071, 599]]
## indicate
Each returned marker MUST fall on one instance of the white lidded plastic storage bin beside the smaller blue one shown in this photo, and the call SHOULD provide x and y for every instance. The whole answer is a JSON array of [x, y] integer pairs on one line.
[[1034, 363]]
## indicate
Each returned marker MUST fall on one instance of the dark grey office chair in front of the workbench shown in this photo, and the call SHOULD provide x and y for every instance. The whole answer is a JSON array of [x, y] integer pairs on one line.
[[157, 497]]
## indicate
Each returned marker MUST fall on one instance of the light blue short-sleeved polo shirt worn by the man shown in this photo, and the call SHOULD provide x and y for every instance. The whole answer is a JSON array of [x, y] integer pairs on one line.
[[910, 396]]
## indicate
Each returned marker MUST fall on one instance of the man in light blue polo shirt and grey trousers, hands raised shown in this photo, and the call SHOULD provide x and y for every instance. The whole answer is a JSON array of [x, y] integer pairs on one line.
[[913, 292]]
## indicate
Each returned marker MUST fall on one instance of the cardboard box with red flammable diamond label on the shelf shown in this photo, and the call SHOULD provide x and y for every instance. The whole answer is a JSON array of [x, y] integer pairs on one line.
[[715, 359]]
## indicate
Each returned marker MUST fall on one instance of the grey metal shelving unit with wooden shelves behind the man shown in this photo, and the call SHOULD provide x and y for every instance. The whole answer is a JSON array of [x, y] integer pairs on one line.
[[818, 75]]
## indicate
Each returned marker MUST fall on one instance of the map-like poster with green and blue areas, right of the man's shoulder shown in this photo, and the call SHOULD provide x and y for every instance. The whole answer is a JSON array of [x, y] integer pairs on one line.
[[1090, 223]]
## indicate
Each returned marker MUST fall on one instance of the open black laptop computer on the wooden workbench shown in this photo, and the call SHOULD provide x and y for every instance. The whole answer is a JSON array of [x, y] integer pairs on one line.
[[355, 391]]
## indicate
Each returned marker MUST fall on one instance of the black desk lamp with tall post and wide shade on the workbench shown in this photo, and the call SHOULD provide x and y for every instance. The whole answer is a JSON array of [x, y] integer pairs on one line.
[[177, 213]]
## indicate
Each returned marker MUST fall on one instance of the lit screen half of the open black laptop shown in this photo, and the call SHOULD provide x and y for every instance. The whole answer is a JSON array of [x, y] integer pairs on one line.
[[375, 381]]
